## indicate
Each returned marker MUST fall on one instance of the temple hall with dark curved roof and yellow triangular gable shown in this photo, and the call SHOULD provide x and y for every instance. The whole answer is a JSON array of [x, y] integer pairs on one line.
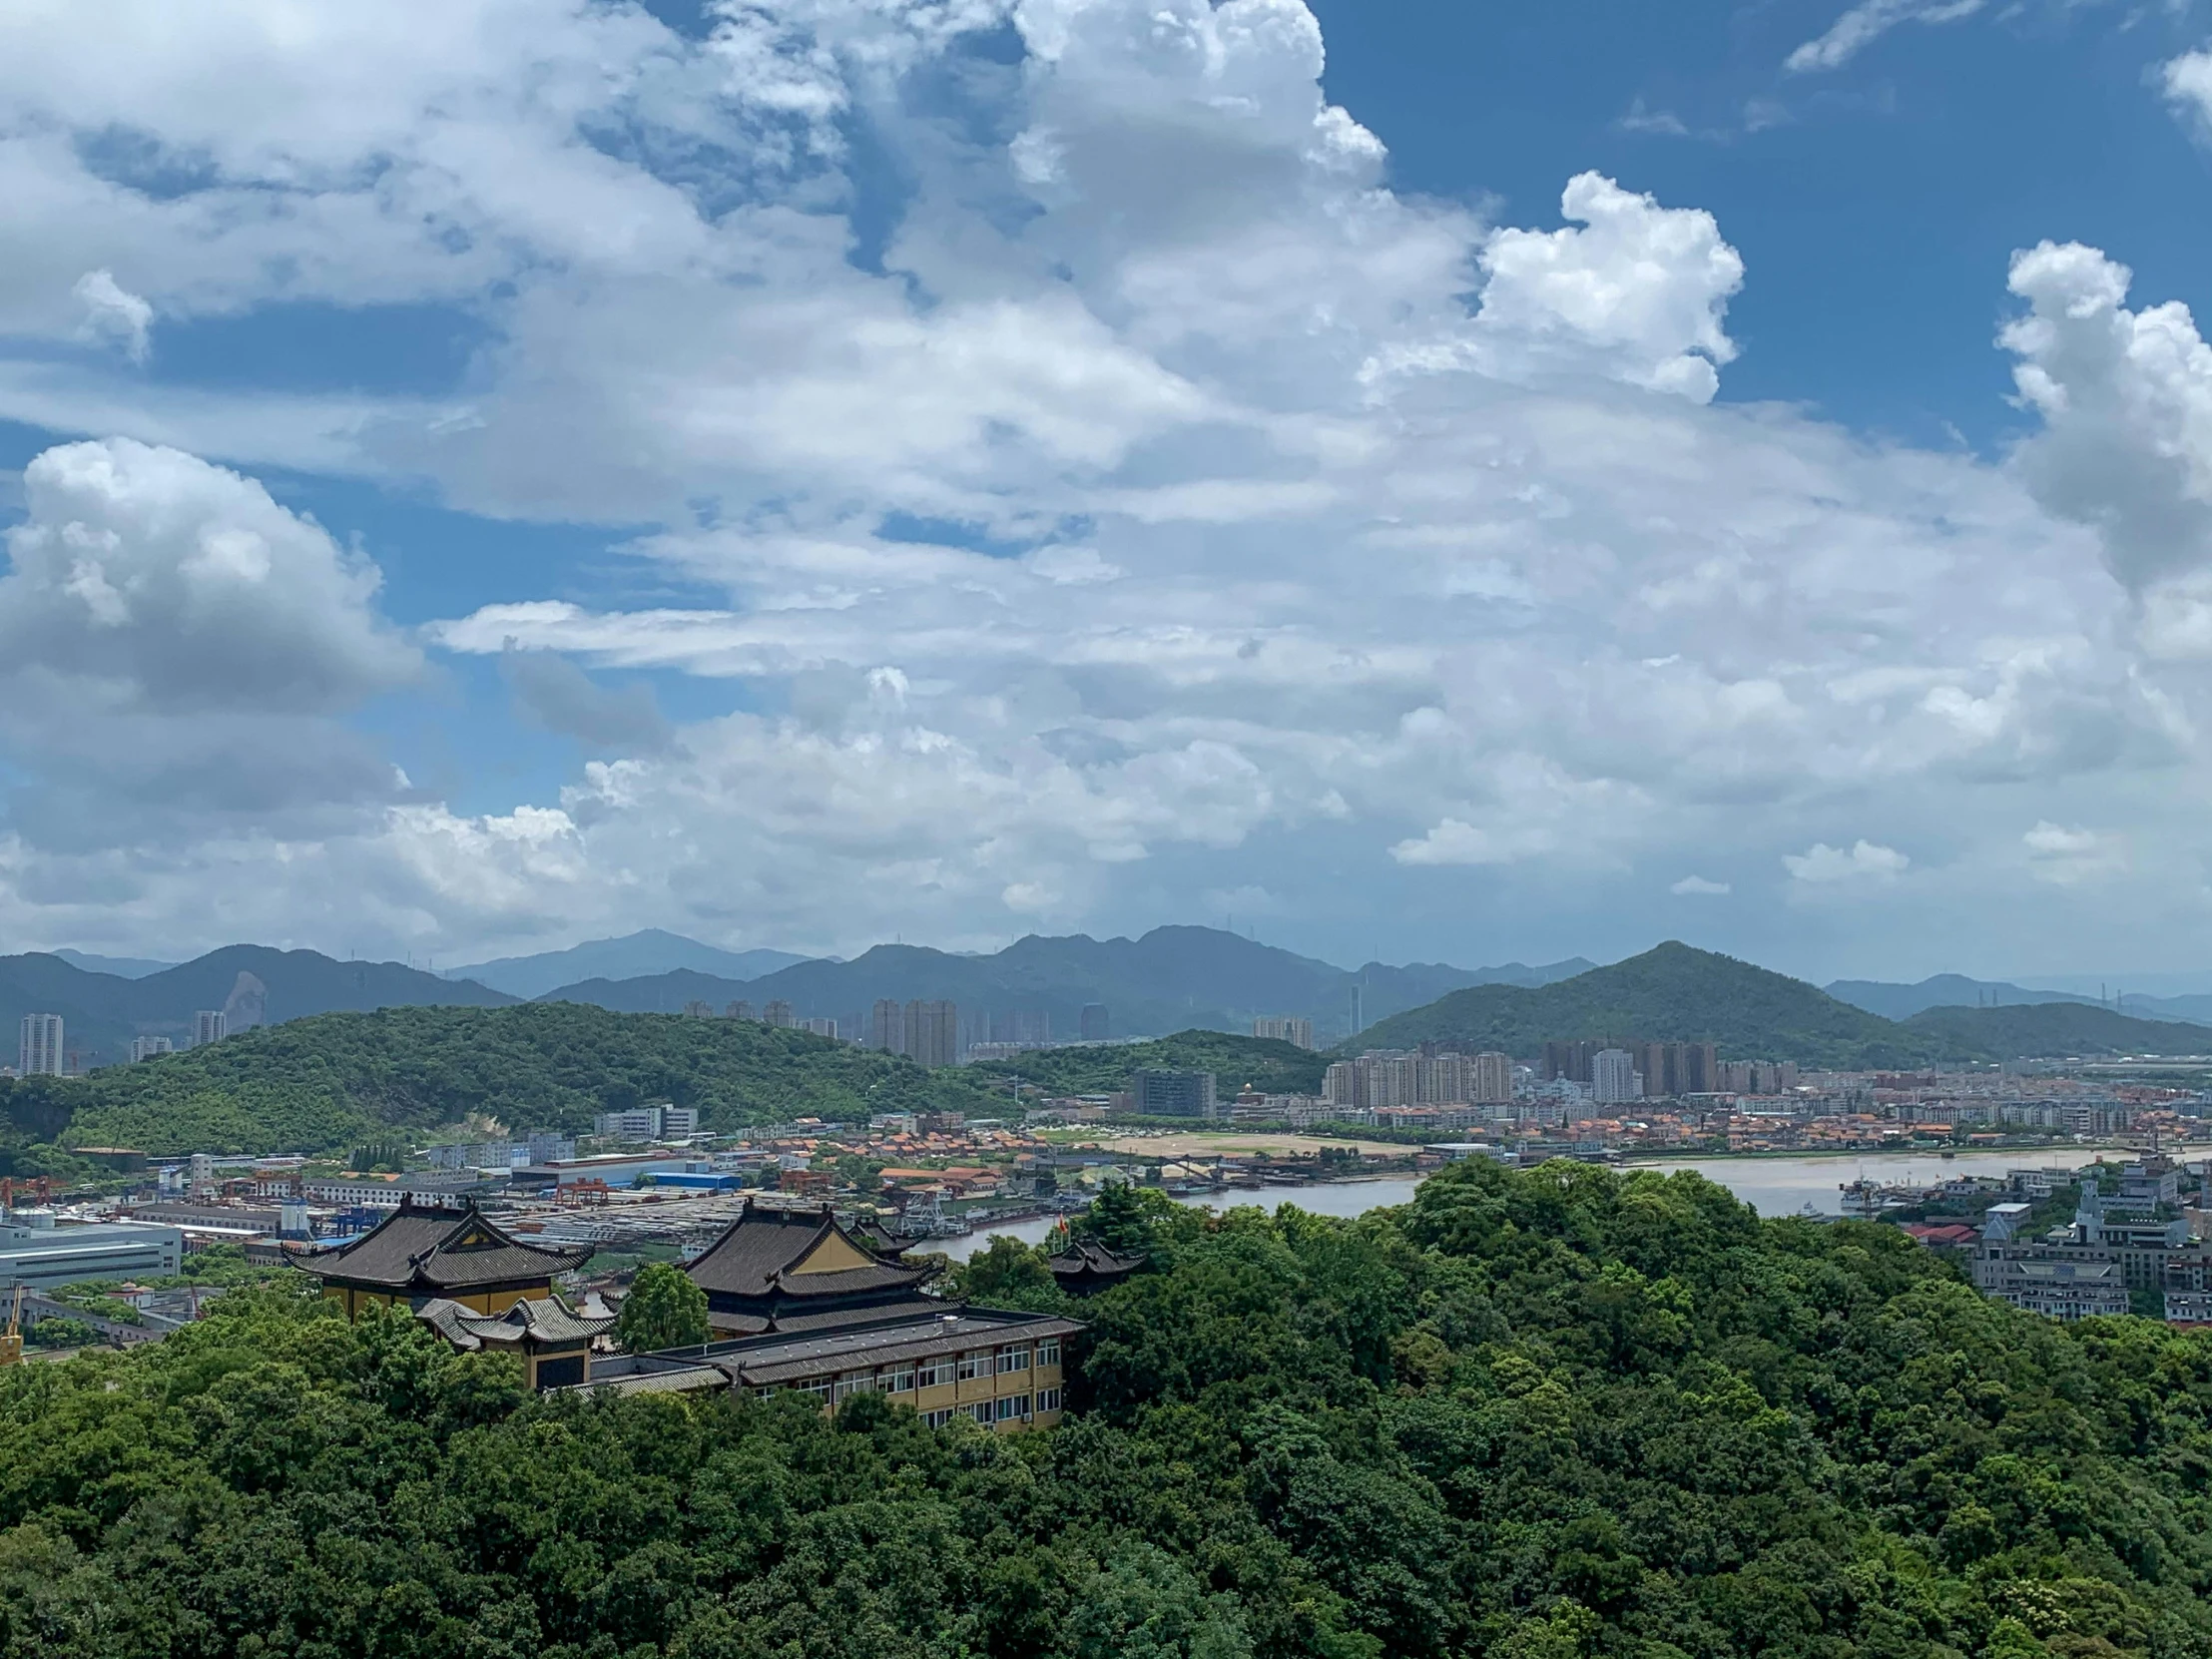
[[791, 1271]]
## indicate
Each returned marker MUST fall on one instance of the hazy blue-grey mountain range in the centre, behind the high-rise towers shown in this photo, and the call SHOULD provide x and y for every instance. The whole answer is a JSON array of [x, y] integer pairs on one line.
[[1173, 979]]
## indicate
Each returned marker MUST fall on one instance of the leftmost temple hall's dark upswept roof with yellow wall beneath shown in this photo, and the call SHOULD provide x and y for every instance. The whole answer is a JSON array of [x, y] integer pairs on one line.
[[428, 1253]]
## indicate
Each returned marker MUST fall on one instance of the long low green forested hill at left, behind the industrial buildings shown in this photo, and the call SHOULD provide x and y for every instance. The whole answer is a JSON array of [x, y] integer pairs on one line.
[[326, 1083]]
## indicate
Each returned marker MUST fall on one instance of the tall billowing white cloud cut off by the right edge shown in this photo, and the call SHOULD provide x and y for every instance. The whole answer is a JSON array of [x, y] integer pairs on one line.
[[2127, 426]]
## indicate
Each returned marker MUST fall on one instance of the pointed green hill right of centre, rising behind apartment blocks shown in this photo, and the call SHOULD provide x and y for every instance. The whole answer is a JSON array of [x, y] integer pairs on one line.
[[1669, 994]]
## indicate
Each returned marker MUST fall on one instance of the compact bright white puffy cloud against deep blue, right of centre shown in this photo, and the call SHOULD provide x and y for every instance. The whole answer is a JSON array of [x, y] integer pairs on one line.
[[1631, 289]]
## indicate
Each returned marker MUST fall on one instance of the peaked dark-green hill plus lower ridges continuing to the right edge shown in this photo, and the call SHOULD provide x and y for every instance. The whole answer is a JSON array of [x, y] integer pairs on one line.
[[1680, 994]]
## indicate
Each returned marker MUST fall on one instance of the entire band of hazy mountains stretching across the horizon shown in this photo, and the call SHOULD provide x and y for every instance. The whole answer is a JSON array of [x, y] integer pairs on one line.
[[1173, 979]]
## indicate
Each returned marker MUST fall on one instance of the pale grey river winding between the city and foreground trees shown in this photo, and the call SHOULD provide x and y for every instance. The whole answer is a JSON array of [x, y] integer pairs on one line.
[[1768, 1185]]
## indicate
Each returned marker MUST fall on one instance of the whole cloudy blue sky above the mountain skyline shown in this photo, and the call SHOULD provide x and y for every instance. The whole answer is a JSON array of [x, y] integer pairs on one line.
[[1545, 481]]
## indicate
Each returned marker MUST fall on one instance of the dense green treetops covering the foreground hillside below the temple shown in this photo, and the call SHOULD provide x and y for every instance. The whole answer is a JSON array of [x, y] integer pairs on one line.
[[1554, 1415]]
